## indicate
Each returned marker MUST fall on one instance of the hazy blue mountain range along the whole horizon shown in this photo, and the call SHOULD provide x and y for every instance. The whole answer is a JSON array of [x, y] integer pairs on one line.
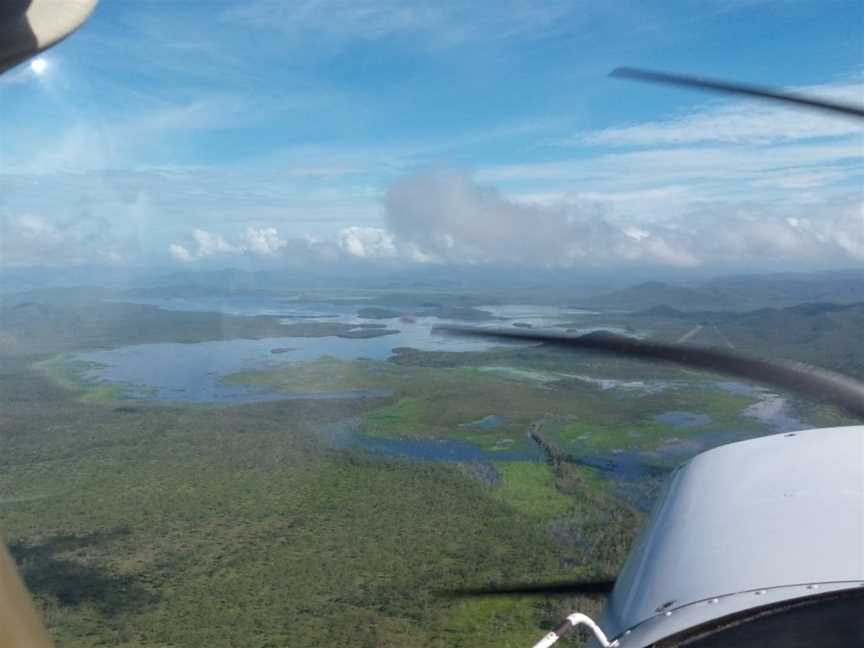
[[594, 289]]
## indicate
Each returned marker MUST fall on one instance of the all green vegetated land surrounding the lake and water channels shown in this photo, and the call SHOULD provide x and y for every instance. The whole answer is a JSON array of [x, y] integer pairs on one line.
[[144, 524]]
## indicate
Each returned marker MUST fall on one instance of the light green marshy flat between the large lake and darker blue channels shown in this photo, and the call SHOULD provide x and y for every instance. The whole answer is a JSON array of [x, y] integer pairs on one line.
[[441, 402]]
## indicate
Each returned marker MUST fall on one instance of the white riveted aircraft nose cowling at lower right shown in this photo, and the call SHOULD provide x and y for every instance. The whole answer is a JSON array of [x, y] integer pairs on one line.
[[746, 524]]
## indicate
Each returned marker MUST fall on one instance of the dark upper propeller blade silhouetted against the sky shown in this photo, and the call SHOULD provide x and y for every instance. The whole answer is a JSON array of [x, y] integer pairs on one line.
[[759, 92]]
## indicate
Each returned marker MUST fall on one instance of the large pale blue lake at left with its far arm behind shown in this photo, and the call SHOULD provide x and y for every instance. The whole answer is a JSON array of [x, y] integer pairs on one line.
[[192, 372]]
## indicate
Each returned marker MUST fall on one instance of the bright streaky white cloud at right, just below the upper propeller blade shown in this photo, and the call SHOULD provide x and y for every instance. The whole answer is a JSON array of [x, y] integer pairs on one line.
[[721, 152]]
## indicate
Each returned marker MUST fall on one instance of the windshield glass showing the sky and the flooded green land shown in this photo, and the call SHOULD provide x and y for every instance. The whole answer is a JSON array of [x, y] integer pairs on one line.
[[228, 231]]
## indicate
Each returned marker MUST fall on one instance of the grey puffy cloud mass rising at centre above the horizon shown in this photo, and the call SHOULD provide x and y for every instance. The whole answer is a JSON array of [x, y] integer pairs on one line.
[[448, 217]]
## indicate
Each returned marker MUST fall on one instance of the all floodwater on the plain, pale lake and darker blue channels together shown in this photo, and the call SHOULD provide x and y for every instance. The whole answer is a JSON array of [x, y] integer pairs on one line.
[[194, 372]]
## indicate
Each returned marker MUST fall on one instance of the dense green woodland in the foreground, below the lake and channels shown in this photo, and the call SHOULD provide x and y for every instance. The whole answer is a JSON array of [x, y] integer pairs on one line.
[[145, 525]]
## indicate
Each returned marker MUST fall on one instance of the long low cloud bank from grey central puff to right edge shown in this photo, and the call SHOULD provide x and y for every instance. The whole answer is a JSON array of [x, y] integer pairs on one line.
[[448, 217]]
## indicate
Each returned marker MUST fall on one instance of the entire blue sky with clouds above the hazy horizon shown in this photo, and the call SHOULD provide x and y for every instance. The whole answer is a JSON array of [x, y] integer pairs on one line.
[[199, 133]]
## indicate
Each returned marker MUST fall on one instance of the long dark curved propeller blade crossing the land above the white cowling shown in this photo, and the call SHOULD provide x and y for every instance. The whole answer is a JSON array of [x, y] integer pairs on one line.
[[812, 382]]
